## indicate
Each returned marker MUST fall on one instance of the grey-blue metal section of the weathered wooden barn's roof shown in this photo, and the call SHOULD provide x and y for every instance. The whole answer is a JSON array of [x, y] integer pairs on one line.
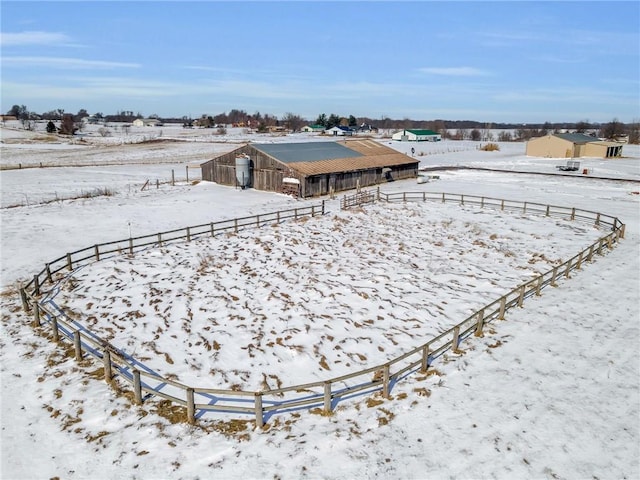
[[307, 151]]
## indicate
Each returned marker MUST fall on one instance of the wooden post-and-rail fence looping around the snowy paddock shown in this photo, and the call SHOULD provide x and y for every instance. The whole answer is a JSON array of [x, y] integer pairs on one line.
[[323, 393]]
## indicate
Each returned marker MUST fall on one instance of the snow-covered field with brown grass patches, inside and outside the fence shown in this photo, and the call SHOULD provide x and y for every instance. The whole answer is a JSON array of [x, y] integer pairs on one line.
[[551, 392]]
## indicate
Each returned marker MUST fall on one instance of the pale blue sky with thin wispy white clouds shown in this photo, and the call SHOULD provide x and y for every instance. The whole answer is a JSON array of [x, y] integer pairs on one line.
[[522, 62]]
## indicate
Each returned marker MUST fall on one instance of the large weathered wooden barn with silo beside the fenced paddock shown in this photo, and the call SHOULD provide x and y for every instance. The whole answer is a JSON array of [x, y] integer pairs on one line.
[[317, 168]]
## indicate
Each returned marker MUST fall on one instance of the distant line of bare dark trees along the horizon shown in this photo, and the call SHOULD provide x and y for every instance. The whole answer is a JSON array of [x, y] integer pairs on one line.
[[450, 129]]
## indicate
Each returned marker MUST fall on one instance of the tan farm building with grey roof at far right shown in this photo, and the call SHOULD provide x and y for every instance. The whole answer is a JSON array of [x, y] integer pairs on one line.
[[572, 145]]
